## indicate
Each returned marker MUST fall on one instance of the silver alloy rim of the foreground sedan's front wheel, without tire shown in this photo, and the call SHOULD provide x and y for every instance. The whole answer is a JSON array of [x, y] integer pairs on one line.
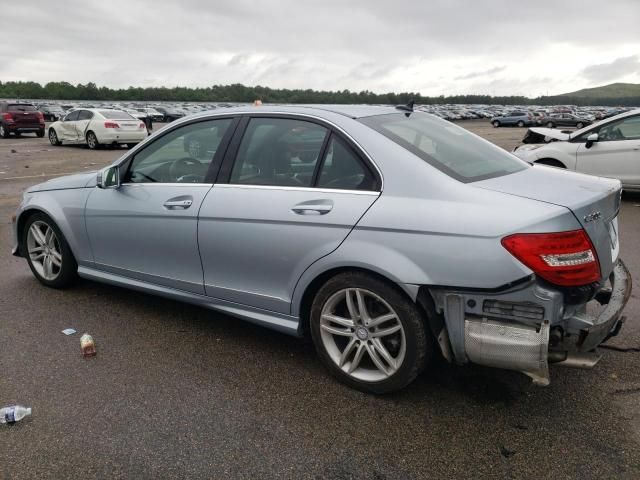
[[44, 250]]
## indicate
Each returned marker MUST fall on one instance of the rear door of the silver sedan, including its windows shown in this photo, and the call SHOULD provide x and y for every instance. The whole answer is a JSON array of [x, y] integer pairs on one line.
[[272, 213]]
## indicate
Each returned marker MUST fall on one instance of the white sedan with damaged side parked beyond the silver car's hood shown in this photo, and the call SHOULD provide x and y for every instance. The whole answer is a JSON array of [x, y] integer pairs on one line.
[[95, 127]]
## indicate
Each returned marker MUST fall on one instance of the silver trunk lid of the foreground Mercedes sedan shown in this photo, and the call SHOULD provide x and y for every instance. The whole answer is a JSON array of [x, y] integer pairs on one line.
[[595, 202]]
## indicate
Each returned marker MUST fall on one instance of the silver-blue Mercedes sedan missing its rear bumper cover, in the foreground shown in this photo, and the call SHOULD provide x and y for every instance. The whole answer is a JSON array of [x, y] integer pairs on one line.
[[386, 235]]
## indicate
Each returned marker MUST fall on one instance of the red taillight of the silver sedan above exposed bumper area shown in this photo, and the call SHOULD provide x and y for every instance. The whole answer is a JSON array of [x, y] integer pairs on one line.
[[567, 259]]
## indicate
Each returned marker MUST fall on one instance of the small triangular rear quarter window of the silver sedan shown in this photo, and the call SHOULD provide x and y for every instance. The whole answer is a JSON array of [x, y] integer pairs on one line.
[[343, 169]]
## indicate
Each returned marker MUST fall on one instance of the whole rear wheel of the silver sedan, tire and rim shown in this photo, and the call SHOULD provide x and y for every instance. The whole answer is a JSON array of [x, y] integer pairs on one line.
[[368, 334]]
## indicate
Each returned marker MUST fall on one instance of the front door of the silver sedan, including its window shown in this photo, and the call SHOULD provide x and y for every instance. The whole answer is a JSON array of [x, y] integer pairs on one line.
[[146, 229]]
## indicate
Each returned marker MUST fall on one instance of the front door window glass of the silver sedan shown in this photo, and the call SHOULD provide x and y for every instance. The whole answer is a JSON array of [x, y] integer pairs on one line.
[[182, 155]]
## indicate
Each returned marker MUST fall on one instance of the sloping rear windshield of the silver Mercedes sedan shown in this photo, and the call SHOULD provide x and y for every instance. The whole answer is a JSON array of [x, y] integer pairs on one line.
[[447, 147]]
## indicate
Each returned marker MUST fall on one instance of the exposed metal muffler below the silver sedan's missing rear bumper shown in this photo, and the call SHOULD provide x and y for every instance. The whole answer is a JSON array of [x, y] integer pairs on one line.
[[510, 346]]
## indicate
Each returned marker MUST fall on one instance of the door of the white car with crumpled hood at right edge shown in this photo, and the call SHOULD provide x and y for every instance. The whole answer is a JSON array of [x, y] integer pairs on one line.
[[616, 154]]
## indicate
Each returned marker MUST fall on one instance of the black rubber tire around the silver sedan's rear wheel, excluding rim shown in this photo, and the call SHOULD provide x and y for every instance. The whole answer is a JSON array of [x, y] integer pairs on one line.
[[418, 341]]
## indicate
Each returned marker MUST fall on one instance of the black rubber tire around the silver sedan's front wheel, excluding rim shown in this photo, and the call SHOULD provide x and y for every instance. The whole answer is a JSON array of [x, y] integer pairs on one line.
[[68, 271]]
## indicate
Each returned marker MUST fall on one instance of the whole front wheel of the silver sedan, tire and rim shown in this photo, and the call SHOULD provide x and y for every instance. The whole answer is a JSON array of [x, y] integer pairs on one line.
[[48, 253]]
